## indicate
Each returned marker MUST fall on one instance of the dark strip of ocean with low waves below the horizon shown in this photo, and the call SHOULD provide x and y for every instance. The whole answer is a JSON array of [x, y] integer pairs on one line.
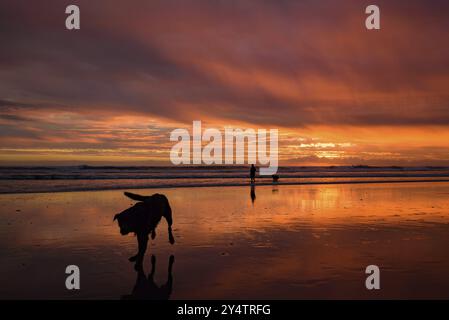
[[21, 179]]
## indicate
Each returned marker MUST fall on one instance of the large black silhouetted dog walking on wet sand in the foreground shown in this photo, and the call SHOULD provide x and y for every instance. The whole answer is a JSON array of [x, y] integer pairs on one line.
[[143, 218]]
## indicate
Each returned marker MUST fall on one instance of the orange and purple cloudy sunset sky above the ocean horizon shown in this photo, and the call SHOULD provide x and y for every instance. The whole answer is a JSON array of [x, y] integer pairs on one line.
[[113, 91]]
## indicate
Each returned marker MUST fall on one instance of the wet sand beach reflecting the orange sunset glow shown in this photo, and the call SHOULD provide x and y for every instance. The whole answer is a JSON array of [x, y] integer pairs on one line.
[[291, 242]]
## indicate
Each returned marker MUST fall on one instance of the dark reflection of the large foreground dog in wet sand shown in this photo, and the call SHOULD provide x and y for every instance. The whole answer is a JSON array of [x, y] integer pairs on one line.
[[146, 289]]
